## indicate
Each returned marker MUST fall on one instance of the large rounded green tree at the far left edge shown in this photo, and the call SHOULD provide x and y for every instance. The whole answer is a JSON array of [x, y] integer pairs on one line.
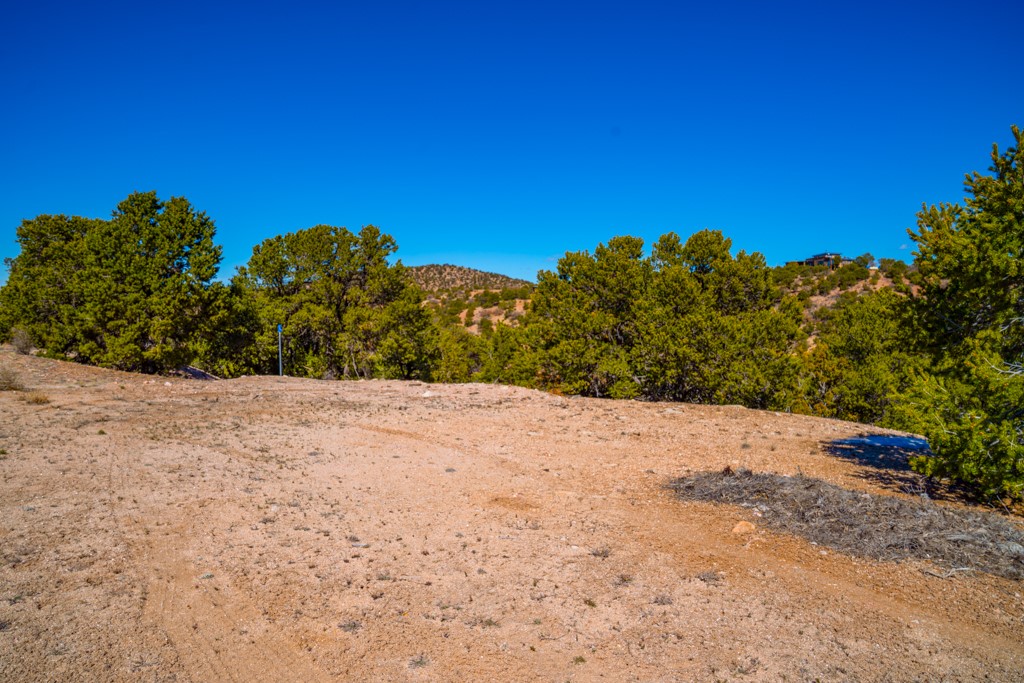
[[132, 293]]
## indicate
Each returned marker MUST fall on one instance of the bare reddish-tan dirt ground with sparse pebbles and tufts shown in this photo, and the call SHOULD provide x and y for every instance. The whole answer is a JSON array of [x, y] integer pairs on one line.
[[283, 530]]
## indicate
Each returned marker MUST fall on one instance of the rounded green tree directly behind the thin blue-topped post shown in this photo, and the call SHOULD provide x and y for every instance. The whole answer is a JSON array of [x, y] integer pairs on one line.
[[347, 312]]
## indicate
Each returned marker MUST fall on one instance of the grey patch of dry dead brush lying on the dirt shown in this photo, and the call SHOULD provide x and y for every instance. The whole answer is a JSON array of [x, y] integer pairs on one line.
[[881, 528]]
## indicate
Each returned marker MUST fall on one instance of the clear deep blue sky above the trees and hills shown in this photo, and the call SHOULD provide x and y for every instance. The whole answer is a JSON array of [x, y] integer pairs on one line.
[[500, 136]]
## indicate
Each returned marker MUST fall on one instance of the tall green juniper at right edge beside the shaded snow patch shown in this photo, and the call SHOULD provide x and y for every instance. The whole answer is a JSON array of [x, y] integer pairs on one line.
[[971, 312]]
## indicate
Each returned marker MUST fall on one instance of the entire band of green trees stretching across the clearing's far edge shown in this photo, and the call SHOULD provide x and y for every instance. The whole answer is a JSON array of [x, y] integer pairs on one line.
[[941, 352]]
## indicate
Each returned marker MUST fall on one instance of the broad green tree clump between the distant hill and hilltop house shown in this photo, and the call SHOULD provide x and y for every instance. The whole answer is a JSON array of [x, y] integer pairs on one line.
[[689, 323]]
